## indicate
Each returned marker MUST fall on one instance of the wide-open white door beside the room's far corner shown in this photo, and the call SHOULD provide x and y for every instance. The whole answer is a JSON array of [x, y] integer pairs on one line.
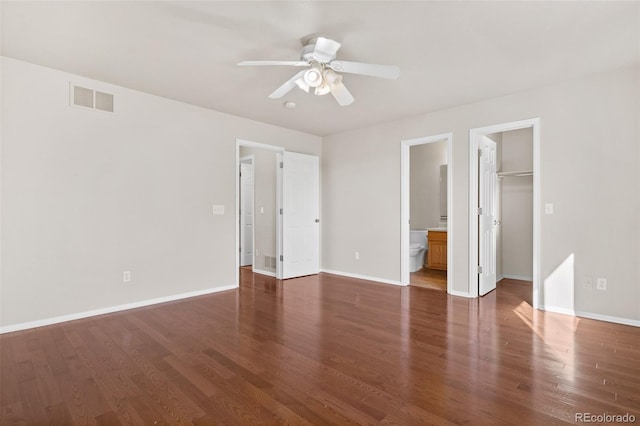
[[300, 216]]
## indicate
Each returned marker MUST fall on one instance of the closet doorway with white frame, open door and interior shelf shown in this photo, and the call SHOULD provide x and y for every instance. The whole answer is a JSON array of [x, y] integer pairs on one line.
[[504, 236]]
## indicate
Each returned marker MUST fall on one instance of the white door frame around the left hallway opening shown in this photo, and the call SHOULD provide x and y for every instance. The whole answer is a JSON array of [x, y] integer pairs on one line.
[[278, 150]]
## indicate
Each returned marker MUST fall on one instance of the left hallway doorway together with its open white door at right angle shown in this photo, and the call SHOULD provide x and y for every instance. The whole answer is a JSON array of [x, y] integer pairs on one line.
[[285, 219]]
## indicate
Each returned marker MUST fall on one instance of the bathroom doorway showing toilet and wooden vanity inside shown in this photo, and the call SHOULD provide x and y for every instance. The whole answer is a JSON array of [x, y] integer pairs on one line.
[[427, 225]]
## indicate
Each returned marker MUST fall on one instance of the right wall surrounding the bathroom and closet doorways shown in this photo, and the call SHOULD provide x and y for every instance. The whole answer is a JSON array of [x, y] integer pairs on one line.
[[589, 169]]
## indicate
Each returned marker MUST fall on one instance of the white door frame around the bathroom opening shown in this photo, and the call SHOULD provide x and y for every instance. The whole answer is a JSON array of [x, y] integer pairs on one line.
[[405, 196]]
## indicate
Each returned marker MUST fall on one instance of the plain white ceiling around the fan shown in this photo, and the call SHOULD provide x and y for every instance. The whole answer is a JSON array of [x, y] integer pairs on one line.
[[449, 53]]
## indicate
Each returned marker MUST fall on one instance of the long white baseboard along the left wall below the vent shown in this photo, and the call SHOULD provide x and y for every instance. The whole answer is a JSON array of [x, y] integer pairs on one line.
[[111, 309]]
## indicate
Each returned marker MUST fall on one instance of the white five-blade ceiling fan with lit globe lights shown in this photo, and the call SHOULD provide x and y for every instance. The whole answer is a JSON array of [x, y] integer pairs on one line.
[[319, 59]]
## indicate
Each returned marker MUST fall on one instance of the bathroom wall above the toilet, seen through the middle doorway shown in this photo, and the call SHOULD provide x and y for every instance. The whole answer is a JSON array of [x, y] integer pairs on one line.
[[425, 161]]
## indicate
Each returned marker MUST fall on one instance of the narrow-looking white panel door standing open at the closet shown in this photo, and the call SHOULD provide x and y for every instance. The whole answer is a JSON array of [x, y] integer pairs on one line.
[[487, 218]]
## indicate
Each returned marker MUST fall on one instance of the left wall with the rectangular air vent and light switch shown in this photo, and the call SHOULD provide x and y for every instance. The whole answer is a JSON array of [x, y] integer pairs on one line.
[[87, 195]]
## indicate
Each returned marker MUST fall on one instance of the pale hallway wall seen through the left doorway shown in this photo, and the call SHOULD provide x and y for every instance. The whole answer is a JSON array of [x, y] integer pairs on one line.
[[264, 169]]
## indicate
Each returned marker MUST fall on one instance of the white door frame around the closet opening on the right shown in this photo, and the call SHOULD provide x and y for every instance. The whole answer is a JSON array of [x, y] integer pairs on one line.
[[474, 137]]
